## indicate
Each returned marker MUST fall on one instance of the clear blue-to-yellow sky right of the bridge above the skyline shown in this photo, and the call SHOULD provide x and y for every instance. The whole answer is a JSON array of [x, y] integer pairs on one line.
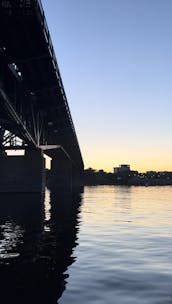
[[115, 59]]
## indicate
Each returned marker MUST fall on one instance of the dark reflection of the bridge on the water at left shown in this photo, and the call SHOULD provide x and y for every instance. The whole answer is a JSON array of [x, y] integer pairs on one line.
[[37, 238]]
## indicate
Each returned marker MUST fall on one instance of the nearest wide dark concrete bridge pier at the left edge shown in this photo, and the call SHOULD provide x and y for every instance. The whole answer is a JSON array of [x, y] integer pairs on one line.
[[22, 173]]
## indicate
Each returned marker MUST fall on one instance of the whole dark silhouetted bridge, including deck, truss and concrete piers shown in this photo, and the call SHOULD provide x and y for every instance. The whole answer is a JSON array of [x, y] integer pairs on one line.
[[34, 112]]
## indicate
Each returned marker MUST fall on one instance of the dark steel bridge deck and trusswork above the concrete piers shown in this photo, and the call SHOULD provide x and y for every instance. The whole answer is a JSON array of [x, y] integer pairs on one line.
[[34, 111]]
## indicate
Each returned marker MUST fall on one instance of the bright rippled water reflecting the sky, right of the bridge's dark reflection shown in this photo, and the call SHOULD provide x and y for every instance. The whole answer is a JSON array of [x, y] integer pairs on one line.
[[125, 252]]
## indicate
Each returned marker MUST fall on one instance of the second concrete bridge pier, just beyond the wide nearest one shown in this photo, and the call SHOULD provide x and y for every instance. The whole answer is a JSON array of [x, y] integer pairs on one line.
[[61, 172]]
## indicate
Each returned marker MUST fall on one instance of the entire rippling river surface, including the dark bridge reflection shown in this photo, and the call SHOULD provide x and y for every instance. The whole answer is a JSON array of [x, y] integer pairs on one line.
[[107, 245]]
